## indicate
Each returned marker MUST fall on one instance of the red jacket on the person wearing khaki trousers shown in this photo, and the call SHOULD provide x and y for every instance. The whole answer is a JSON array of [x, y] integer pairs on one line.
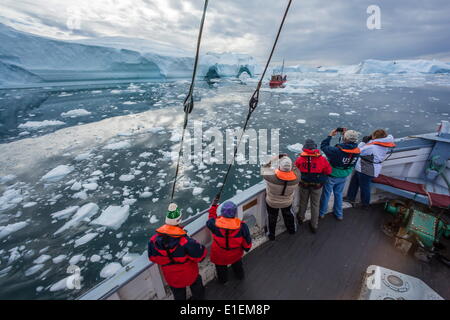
[[313, 167]]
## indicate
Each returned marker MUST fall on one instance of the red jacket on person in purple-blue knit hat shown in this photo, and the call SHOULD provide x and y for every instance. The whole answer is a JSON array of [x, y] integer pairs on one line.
[[231, 237]]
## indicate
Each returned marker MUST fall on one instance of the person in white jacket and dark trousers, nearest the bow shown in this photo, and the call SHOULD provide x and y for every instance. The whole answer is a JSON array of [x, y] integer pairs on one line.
[[374, 149]]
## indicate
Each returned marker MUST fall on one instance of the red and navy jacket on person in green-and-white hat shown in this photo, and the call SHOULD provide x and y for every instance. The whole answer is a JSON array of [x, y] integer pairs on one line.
[[178, 254]]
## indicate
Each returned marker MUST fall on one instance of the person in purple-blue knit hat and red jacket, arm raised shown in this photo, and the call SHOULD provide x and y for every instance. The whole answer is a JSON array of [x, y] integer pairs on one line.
[[231, 237]]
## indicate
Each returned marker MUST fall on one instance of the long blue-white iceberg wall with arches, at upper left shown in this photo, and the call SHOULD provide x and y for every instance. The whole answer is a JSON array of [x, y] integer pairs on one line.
[[28, 58]]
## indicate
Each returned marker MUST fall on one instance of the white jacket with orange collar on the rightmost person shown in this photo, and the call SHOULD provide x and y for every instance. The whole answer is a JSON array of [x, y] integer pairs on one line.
[[372, 156]]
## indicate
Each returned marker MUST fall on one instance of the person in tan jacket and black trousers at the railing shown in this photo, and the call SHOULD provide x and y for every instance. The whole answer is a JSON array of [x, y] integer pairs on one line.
[[281, 185]]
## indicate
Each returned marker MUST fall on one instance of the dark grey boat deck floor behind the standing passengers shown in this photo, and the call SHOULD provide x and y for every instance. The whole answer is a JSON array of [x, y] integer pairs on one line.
[[327, 265]]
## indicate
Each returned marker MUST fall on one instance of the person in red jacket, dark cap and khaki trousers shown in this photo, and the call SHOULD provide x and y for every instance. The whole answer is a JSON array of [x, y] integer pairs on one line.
[[314, 170]]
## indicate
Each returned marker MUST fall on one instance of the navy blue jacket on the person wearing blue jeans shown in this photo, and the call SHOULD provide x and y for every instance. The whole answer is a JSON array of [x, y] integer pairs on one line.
[[342, 162]]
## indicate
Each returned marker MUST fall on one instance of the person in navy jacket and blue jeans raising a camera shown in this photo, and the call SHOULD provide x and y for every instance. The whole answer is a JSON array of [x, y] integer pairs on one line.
[[342, 158]]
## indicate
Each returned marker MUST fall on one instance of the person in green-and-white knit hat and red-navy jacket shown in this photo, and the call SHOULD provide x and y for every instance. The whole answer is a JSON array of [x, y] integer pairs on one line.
[[179, 255]]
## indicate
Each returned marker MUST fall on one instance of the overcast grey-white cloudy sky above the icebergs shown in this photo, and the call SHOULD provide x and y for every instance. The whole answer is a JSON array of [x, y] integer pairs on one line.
[[320, 32]]
